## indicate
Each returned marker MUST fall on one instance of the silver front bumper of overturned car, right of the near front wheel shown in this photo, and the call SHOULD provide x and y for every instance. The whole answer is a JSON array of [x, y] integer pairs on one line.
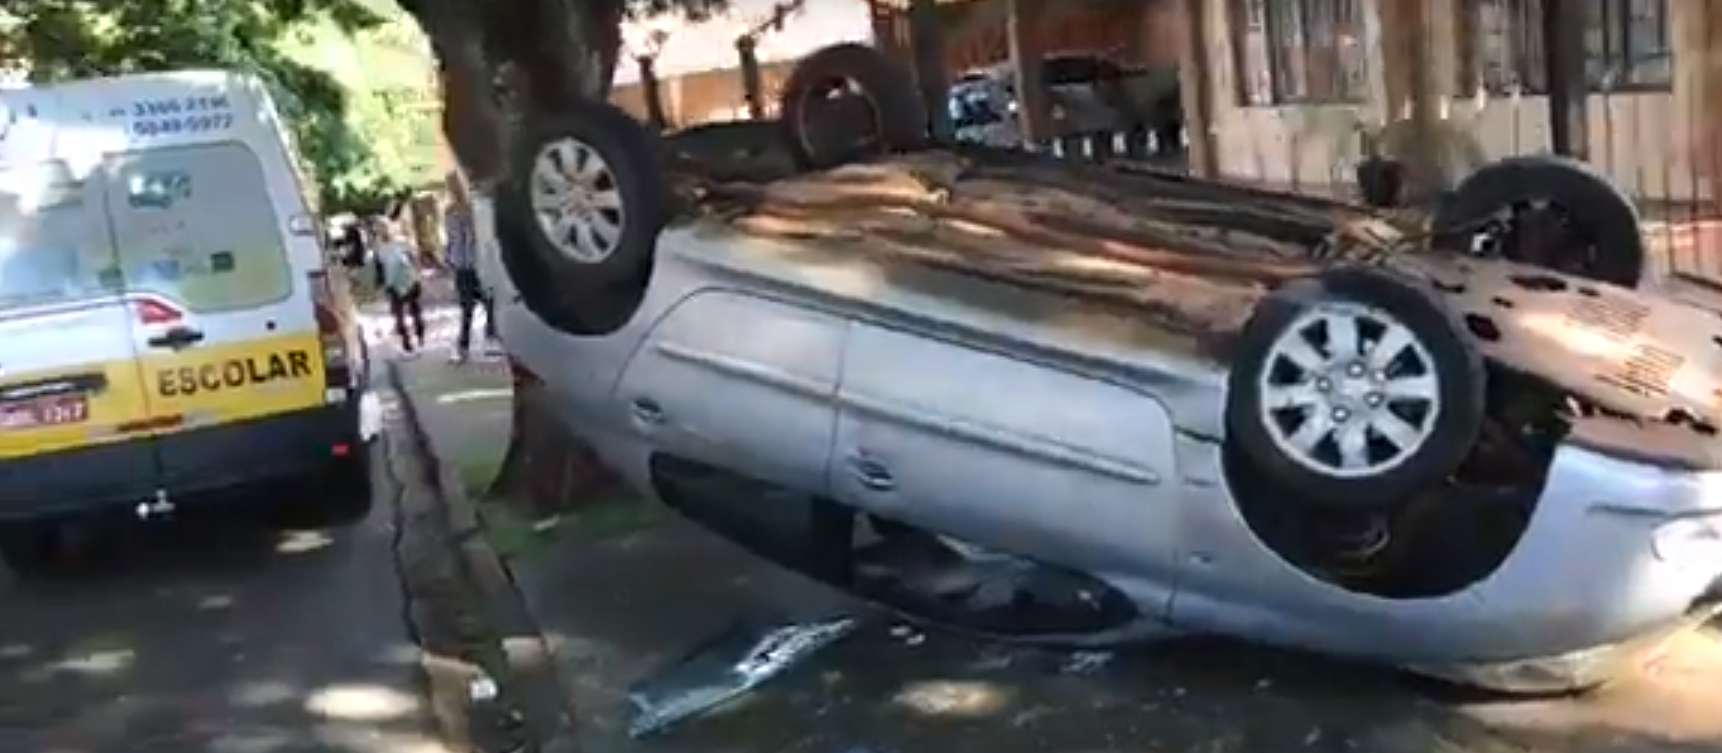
[[1616, 549]]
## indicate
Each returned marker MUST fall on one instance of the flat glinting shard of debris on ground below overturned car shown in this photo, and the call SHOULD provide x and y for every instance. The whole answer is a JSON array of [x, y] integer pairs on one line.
[[738, 661]]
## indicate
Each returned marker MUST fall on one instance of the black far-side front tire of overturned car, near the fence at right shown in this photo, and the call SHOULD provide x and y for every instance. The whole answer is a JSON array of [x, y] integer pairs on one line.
[[1611, 239]]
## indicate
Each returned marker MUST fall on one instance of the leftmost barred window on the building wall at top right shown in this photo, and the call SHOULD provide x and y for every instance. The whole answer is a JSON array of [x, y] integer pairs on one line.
[[1299, 53]]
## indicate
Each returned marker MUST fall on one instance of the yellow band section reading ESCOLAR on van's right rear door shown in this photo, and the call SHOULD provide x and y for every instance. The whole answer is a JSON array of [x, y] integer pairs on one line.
[[238, 382]]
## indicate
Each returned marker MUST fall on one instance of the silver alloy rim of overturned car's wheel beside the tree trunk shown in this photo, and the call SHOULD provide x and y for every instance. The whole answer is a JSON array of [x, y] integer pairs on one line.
[[576, 201]]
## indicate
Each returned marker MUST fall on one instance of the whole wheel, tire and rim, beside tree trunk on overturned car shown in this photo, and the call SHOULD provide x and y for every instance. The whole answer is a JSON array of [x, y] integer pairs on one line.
[[581, 259]]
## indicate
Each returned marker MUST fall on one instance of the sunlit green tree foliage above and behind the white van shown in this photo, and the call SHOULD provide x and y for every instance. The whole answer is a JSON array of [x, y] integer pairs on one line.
[[333, 115]]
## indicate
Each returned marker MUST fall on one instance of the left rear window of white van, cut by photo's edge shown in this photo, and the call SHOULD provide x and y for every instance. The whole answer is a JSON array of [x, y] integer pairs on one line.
[[54, 242]]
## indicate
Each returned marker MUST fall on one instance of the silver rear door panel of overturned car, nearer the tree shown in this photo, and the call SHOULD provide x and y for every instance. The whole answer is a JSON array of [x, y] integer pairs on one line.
[[740, 383]]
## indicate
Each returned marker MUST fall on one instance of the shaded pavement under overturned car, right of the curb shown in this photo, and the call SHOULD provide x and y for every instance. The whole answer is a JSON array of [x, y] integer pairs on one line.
[[619, 609]]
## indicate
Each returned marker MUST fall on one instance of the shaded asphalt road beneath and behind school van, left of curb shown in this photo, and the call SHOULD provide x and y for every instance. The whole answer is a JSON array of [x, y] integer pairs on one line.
[[216, 637]]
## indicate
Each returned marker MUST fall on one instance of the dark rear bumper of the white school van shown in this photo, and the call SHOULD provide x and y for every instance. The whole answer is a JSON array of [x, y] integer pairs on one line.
[[235, 464]]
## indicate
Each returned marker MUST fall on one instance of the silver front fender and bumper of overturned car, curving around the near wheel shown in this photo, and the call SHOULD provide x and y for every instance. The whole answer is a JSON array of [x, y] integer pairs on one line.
[[1625, 540]]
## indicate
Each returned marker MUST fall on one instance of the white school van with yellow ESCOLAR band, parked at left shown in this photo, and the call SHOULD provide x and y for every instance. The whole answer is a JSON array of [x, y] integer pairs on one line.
[[168, 327]]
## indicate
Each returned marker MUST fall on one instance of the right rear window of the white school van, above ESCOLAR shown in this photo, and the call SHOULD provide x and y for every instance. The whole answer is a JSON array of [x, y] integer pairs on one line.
[[197, 225]]
